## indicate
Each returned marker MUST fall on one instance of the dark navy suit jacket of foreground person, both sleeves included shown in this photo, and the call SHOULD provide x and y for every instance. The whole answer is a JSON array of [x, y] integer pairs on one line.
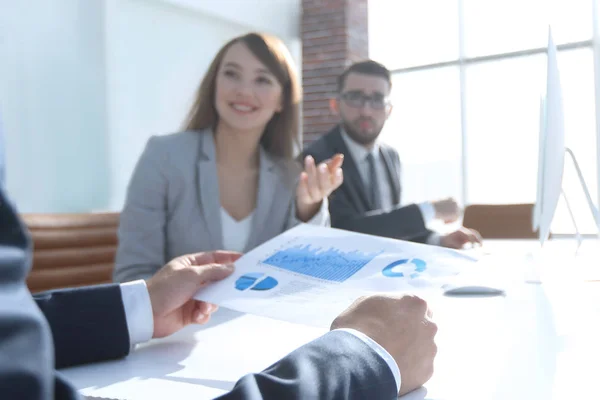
[[70, 327]]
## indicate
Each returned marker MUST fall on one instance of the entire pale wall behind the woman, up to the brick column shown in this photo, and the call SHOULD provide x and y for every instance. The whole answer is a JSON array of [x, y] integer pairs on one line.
[[88, 82]]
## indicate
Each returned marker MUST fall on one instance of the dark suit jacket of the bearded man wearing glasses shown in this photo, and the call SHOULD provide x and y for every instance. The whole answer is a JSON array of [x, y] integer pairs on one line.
[[349, 205]]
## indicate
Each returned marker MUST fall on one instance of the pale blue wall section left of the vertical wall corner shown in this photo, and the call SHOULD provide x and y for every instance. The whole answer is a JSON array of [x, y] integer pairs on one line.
[[52, 104]]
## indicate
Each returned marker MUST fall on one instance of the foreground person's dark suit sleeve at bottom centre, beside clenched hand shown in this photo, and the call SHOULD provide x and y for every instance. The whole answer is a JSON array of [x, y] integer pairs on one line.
[[336, 366]]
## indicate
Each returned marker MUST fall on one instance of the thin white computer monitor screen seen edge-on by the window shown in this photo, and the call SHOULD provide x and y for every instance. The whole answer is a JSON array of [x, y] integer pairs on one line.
[[551, 150]]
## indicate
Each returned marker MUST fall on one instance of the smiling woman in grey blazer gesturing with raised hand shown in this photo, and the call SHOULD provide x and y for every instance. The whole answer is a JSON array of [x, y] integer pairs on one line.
[[229, 181]]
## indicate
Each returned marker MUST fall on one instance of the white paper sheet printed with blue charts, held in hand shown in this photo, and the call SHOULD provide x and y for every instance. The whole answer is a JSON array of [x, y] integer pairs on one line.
[[310, 274]]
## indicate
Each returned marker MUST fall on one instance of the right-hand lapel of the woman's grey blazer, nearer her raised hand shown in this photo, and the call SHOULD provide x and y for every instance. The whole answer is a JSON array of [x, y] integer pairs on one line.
[[268, 183]]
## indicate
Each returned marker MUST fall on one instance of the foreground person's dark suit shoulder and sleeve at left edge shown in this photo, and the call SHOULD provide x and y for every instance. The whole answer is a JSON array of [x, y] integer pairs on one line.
[[87, 325]]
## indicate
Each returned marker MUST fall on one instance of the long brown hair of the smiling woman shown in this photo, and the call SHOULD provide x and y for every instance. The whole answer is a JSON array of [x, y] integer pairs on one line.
[[281, 133]]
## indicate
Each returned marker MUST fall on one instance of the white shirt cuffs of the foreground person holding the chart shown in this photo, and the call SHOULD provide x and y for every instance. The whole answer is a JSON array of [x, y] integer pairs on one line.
[[140, 323]]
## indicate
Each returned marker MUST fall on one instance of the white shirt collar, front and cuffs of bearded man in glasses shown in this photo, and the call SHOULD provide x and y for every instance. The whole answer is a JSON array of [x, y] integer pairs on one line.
[[359, 154]]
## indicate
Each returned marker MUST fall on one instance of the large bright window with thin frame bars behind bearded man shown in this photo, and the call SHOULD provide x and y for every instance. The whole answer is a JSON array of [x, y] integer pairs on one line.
[[467, 81]]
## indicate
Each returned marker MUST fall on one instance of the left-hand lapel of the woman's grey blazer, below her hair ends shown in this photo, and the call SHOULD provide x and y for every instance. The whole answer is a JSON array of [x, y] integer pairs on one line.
[[208, 187]]
